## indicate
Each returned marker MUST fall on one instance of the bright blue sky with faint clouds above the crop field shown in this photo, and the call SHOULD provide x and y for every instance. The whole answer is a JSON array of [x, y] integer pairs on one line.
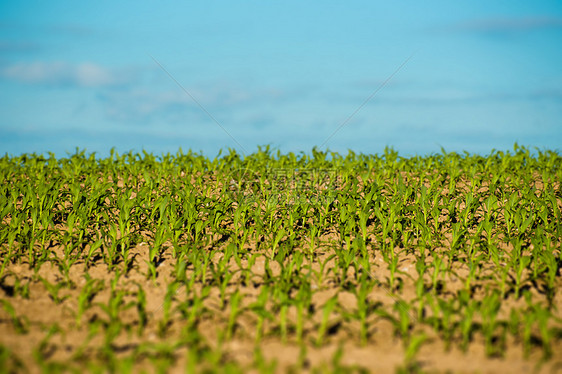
[[209, 75]]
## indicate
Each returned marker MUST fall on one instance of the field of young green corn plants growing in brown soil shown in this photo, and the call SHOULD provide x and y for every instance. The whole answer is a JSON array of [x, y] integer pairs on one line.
[[274, 263]]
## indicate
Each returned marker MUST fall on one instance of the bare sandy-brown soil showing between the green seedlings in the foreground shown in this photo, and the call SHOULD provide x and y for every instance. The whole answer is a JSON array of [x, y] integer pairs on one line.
[[47, 326]]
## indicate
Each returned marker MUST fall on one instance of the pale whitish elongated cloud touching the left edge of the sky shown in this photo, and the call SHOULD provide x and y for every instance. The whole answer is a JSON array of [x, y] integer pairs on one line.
[[64, 74]]
